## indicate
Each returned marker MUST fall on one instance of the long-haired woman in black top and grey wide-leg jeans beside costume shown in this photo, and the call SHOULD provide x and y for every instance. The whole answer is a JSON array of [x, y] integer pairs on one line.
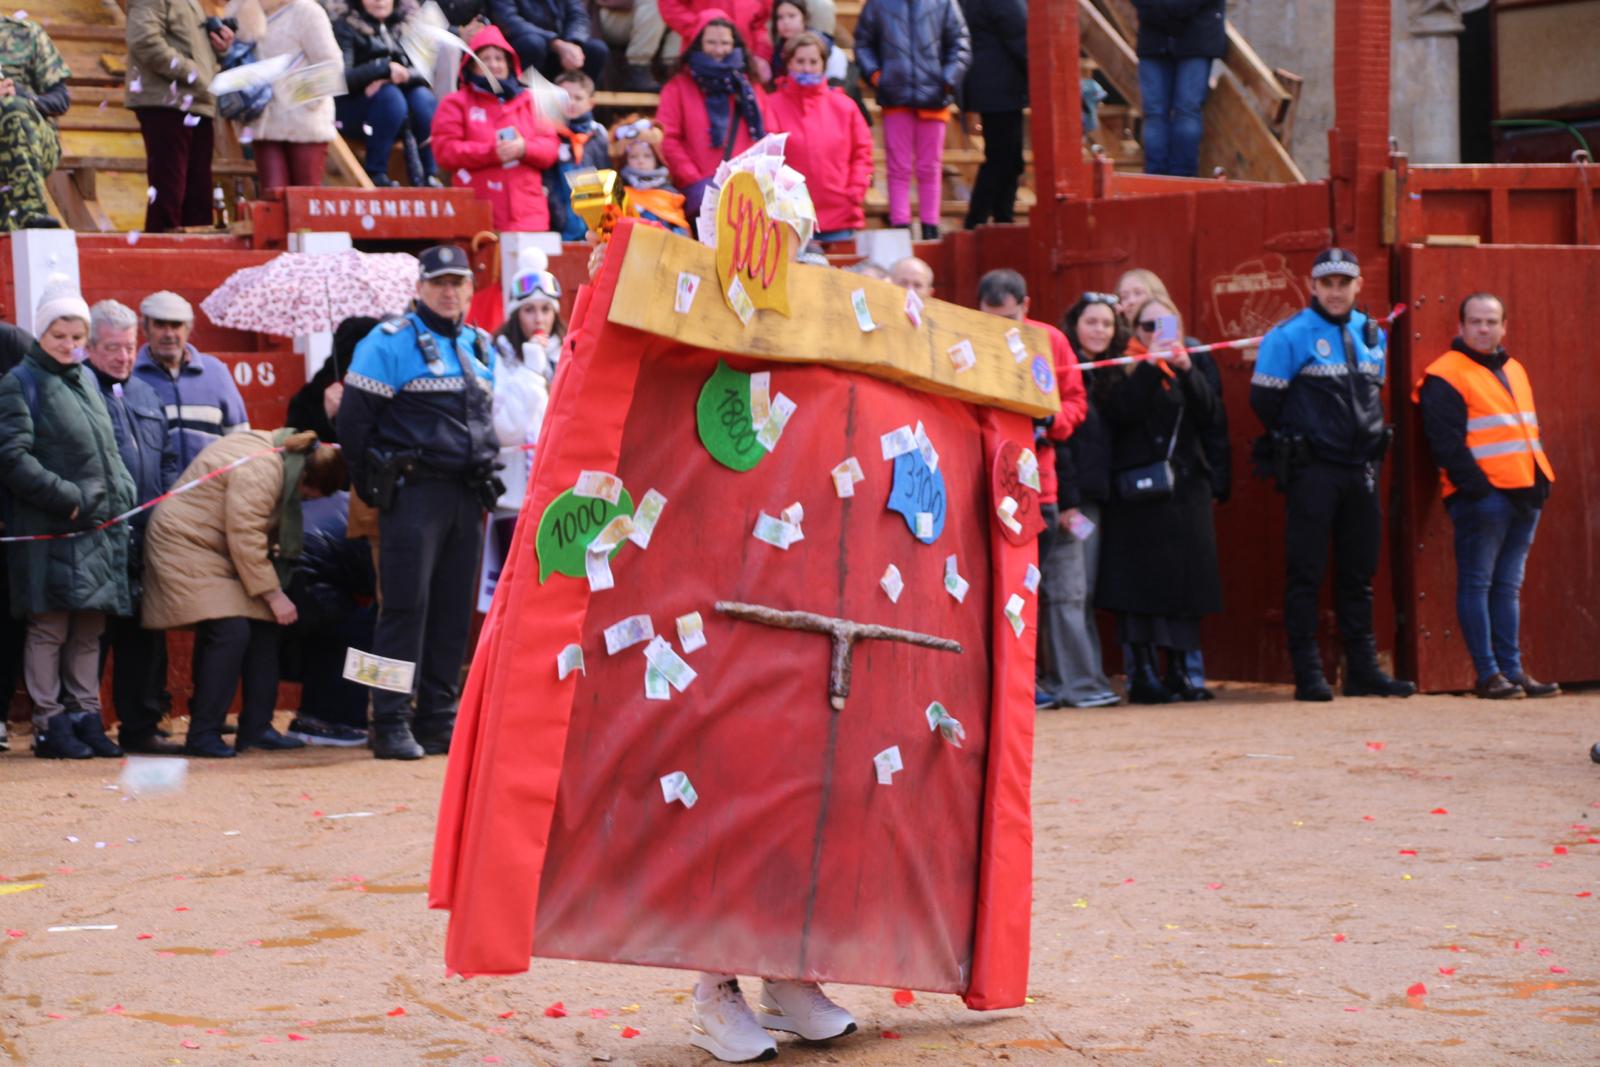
[[1071, 669]]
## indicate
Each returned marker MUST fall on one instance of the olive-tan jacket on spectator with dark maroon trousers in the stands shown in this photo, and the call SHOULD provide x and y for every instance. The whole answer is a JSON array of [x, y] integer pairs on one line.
[[170, 57]]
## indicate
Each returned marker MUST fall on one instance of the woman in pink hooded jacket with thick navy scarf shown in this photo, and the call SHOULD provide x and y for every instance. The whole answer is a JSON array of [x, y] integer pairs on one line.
[[711, 110]]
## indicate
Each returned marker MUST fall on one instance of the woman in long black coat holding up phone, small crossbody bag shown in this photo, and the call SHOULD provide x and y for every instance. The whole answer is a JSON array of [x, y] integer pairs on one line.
[[1159, 569]]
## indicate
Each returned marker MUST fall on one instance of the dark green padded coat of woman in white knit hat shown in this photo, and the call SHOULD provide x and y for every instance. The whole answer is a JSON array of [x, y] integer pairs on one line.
[[63, 460]]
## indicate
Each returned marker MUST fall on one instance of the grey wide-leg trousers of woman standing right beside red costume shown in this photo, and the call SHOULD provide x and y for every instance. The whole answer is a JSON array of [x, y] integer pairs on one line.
[[1070, 650]]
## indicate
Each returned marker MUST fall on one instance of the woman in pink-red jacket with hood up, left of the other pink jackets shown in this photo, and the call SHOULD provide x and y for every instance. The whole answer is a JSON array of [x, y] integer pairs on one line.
[[495, 142]]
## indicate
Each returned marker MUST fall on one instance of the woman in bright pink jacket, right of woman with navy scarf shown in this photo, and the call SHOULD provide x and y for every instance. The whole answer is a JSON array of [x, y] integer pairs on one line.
[[830, 142]]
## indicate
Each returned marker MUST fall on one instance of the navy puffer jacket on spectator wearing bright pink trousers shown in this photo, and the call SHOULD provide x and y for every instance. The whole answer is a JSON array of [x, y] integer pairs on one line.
[[918, 49]]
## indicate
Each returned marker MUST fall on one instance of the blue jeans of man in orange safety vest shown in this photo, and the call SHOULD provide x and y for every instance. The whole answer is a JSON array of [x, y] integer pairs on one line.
[[1492, 546]]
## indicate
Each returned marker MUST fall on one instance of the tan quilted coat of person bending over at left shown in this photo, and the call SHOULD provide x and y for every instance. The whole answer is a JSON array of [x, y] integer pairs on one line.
[[206, 551]]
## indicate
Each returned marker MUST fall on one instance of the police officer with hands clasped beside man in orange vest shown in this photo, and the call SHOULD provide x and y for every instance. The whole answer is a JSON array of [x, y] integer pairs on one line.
[[1319, 391]]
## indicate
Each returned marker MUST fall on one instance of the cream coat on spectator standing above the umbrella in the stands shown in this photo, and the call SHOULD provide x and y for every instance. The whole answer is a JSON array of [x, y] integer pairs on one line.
[[290, 28]]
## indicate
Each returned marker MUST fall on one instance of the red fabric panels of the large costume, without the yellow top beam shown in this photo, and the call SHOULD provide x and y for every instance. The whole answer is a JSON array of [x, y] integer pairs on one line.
[[554, 837]]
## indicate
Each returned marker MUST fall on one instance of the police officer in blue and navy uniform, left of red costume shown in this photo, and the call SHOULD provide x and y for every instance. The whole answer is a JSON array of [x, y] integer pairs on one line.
[[418, 436]]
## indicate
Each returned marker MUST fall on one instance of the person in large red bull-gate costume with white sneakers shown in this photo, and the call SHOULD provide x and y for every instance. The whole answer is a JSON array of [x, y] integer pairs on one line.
[[758, 807]]
